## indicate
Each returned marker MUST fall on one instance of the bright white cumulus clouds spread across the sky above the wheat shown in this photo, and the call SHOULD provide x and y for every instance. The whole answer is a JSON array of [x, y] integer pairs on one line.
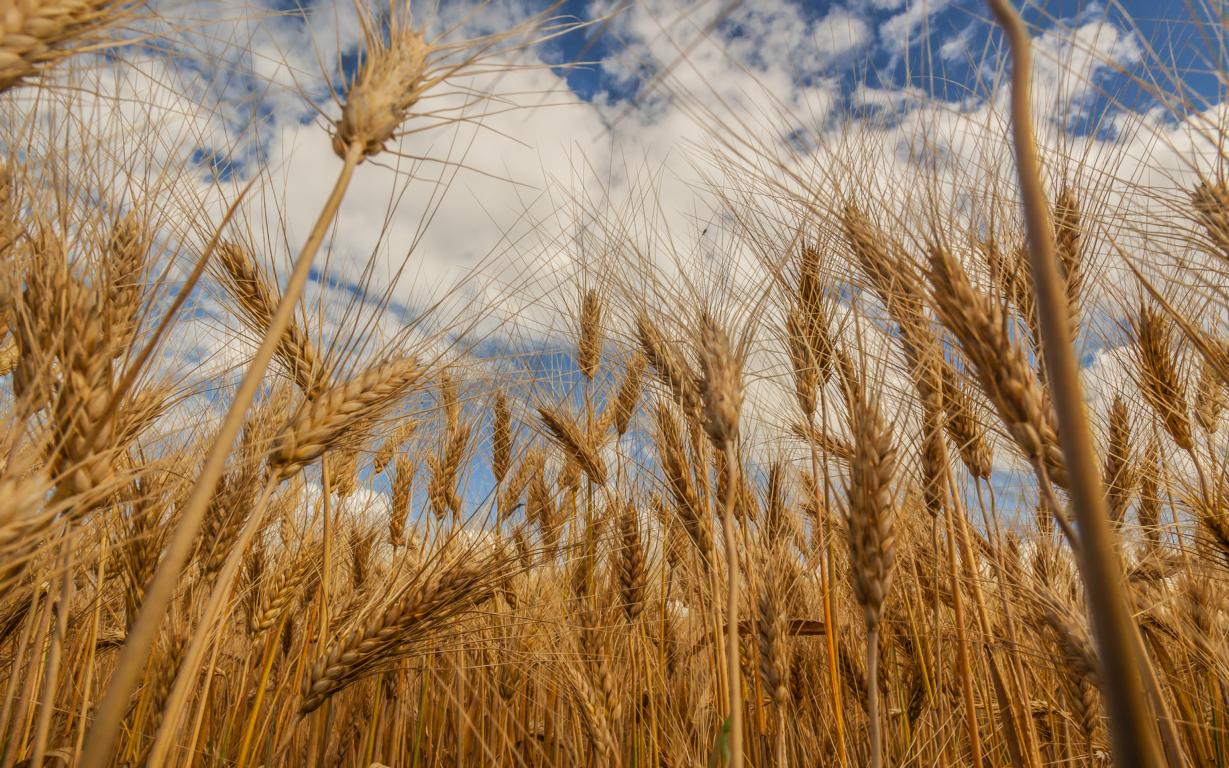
[[500, 208]]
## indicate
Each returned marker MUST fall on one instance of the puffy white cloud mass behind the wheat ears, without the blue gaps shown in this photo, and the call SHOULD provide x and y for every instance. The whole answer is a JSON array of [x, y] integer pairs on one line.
[[523, 185]]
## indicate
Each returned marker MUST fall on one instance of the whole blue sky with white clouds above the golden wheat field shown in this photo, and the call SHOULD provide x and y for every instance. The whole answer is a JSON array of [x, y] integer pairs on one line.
[[613, 137]]
